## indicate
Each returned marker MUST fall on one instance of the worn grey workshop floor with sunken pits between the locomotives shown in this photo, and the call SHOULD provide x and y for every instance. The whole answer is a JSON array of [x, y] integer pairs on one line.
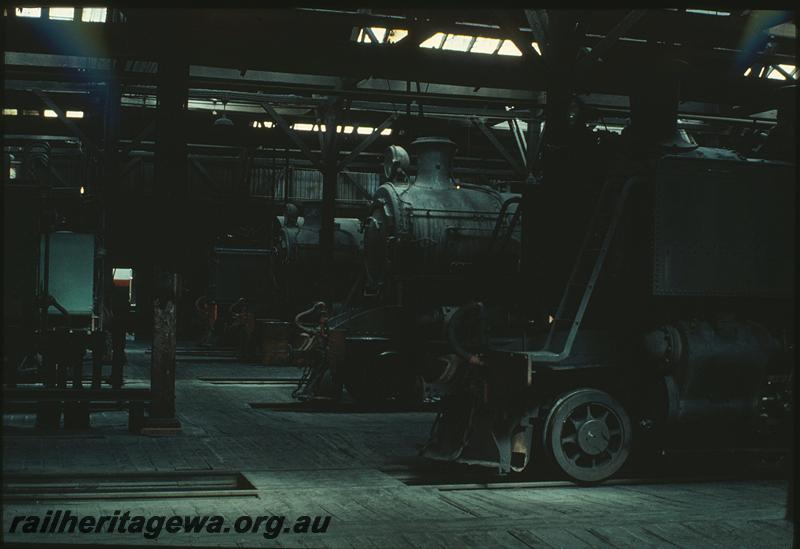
[[359, 468]]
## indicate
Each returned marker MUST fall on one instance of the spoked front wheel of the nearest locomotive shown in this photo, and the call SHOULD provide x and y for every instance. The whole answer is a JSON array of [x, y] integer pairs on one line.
[[588, 434]]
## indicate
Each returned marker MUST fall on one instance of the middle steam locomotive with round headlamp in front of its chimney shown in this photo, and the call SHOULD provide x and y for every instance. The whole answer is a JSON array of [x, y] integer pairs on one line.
[[431, 243]]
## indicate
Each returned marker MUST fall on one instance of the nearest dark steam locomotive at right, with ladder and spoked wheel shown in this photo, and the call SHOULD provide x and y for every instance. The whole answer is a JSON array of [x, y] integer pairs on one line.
[[674, 320]]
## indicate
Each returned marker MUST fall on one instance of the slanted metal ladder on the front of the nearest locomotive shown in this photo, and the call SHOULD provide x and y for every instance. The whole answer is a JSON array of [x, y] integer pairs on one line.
[[589, 263]]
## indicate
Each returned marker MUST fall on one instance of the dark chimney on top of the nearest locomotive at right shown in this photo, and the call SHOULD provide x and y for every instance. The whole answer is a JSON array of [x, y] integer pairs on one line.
[[654, 107]]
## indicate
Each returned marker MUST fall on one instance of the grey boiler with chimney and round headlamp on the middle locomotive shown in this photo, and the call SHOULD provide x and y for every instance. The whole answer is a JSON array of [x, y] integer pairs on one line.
[[433, 226]]
